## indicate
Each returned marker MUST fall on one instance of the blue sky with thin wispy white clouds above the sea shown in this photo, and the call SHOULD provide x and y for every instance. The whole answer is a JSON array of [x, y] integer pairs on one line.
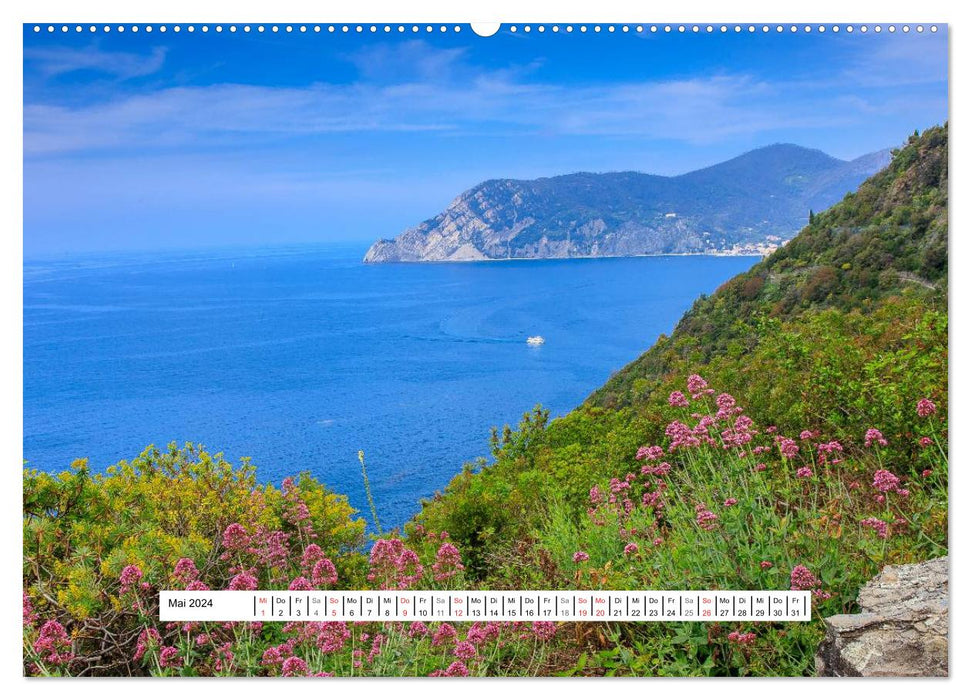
[[145, 141]]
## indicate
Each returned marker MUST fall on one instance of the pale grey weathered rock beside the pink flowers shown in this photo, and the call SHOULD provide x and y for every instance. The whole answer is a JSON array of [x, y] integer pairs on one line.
[[901, 629]]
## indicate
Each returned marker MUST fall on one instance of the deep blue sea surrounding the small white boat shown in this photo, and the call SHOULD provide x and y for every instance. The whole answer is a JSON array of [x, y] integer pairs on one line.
[[300, 356]]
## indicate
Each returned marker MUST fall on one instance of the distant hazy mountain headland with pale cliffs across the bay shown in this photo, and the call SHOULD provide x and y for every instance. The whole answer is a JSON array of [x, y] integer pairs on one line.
[[749, 204]]
